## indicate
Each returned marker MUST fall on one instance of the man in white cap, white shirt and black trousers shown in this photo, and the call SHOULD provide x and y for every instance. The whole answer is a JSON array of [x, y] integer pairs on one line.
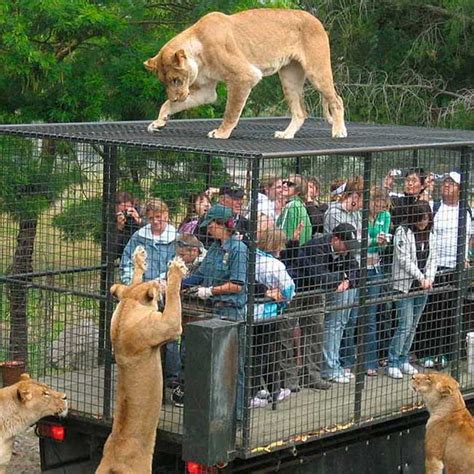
[[437, 327]]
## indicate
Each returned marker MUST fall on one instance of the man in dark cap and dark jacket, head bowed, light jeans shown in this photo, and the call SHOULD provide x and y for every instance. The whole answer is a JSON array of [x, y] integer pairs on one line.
[[328, 263]]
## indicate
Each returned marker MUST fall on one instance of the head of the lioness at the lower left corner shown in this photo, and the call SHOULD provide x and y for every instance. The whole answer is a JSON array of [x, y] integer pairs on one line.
[[40, 400]]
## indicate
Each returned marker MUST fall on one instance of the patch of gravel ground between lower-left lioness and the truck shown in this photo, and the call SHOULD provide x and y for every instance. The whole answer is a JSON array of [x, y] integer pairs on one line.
[[25, 459]]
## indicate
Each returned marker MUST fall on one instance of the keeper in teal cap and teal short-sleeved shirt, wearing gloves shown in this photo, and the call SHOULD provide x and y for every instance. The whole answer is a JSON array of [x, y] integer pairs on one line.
[[222, 278]]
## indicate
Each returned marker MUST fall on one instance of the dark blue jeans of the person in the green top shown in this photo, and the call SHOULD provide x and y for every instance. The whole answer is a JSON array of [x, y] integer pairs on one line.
[[374, 290]]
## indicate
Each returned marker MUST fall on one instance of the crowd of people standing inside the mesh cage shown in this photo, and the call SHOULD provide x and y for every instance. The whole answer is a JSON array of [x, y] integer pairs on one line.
[[304, 244]]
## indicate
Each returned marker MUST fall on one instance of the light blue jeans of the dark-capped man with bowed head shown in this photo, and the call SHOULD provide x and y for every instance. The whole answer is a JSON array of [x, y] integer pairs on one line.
[[334, 324]]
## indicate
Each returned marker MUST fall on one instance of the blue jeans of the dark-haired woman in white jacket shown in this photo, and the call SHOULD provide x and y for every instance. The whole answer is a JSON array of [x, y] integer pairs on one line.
[[408, 315]]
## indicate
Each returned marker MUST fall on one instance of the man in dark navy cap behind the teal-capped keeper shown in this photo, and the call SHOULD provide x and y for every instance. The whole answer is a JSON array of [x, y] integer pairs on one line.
[[231, 195]]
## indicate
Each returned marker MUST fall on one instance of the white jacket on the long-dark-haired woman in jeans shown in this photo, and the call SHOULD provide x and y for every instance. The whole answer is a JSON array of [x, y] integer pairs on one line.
[[405, 263]]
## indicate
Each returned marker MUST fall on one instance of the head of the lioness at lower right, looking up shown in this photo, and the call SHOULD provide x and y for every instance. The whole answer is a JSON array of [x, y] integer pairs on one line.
[[437, 389]]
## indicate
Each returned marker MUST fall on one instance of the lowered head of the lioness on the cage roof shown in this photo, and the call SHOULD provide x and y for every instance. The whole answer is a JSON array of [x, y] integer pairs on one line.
[[173, 70]]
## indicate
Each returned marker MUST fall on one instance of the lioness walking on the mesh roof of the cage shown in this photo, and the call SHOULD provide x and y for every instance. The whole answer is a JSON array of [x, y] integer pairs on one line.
[[239, 50]]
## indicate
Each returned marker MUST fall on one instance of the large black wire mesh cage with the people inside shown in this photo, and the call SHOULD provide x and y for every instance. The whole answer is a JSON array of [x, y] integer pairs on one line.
[[347, 263]]
